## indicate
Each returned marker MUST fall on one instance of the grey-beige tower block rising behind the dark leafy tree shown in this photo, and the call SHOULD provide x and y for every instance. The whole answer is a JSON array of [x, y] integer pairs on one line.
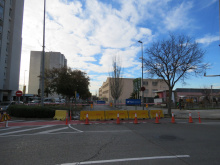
[[52, 60]]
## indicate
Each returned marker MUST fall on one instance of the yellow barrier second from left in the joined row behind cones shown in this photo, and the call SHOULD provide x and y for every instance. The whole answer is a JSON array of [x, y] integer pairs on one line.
[[109, 115]]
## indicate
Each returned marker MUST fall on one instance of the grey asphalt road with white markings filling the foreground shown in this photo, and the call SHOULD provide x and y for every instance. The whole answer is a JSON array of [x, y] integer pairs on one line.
[[112, 144]]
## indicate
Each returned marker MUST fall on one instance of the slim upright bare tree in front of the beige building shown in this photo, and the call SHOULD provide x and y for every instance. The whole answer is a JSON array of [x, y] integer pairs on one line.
[[116, 84]]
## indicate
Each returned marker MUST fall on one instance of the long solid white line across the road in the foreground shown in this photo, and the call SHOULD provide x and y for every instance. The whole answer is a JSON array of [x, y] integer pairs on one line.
[[129, 159]]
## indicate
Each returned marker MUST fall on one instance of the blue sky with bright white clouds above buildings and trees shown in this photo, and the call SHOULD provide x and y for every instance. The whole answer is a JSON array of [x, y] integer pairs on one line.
[[91, 32]]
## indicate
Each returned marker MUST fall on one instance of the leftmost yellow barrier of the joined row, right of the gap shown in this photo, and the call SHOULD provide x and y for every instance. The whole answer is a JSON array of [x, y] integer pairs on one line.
[[92, 115]]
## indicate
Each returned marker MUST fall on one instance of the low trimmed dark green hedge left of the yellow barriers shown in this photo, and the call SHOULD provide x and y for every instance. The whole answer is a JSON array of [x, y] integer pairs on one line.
[[31, 111]]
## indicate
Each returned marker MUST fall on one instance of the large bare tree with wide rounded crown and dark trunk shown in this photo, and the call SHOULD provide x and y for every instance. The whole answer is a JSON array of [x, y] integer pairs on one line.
[[174, 59]]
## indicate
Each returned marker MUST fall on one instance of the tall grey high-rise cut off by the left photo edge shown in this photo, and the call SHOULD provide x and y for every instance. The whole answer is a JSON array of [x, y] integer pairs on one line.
[[11, 19]]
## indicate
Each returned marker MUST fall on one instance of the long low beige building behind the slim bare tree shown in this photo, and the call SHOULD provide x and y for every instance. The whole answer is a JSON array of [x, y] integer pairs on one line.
[[151, 86]]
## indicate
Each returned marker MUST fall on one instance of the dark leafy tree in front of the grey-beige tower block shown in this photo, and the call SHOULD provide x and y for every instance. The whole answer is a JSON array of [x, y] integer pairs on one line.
[[66, 81]]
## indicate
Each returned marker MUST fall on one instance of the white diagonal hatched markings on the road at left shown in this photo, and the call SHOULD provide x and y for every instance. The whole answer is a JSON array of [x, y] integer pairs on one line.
[[37, 130]]
